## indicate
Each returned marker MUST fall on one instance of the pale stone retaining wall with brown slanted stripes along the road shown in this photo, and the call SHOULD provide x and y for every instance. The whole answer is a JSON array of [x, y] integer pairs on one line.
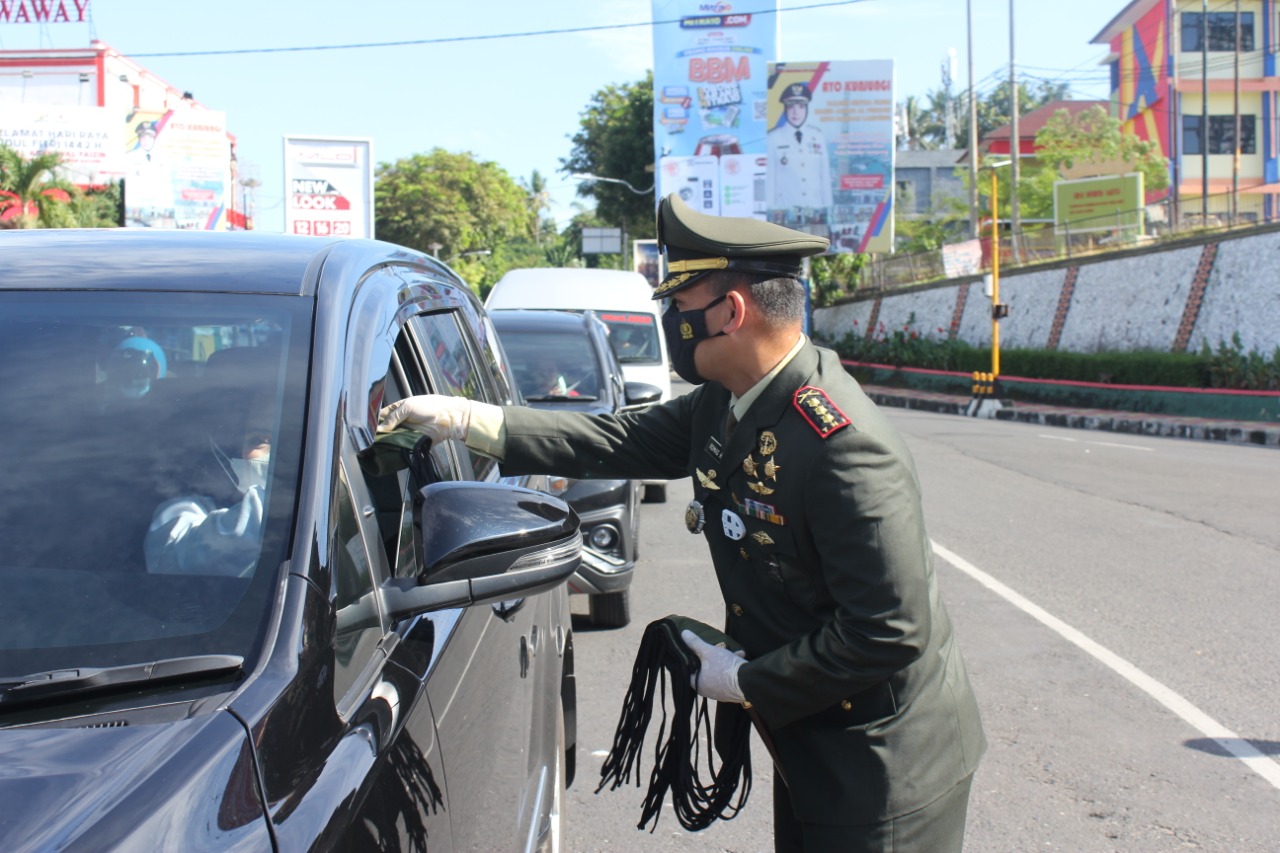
[[1151, 299]]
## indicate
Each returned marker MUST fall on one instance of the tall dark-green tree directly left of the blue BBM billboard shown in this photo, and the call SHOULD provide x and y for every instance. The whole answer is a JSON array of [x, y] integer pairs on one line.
[[615, 140]]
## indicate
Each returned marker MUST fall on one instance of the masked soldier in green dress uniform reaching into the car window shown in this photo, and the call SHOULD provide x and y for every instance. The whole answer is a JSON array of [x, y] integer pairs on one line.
[[811, 507]]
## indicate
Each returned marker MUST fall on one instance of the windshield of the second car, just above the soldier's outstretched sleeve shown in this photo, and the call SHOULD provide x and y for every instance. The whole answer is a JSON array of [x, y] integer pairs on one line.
[[552, 366]]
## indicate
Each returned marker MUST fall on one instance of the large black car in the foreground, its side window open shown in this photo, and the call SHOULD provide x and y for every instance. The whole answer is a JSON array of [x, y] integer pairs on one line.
[[235, 617]]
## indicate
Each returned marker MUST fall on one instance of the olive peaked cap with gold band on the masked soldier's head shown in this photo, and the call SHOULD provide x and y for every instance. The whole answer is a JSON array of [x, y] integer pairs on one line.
[[698, 244]]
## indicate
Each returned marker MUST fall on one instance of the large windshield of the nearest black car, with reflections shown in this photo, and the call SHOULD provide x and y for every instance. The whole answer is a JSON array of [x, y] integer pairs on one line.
[[153, 448]]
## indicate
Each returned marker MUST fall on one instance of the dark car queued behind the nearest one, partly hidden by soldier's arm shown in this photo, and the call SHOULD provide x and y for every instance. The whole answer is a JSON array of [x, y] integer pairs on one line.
[[563, 361]]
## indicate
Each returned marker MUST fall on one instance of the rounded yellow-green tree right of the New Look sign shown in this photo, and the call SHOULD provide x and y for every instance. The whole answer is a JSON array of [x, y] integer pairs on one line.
[[449, 204]]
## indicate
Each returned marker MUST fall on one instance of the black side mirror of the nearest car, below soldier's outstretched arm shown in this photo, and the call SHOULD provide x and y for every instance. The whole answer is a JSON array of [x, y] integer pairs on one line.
[[483, 544]]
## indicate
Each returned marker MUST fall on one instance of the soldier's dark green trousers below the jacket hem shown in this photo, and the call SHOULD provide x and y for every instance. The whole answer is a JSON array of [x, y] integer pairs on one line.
[[939, 828]]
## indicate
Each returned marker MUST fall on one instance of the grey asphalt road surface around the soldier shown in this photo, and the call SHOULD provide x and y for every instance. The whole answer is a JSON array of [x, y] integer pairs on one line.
[[1116, 600]]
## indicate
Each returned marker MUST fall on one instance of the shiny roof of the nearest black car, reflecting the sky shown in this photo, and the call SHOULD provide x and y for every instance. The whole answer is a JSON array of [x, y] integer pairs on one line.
[[140, 259]]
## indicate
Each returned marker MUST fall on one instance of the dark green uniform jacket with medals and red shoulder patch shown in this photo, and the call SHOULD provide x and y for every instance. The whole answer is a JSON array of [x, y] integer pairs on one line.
[[815, 524]]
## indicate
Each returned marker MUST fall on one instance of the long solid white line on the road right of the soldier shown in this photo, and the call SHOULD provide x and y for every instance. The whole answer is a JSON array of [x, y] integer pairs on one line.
[[1194, 717]]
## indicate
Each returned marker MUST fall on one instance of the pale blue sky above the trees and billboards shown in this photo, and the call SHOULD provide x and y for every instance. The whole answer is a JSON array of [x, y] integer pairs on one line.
[[516, 102]]
